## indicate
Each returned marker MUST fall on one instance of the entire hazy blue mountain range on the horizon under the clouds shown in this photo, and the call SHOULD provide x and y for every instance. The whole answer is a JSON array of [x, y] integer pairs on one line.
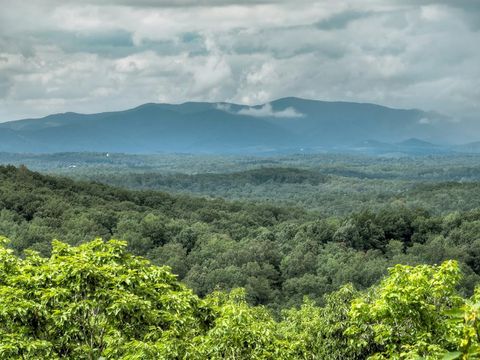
[[284, 125]]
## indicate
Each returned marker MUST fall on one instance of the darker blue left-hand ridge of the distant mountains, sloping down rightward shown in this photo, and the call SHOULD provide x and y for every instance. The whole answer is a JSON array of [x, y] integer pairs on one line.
[[151, 128]]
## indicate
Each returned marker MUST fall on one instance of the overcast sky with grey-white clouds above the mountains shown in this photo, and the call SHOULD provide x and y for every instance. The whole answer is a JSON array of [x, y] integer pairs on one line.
[[102, 55]]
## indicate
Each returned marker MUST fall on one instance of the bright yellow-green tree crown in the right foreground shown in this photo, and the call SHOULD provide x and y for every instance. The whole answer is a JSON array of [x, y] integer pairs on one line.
[[405, 317]]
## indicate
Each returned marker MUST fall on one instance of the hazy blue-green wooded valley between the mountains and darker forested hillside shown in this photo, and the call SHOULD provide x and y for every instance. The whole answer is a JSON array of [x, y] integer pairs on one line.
[[329, 184]]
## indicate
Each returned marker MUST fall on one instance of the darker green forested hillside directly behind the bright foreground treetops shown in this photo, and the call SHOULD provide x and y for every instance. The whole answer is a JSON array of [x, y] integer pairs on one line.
[[278, 254]]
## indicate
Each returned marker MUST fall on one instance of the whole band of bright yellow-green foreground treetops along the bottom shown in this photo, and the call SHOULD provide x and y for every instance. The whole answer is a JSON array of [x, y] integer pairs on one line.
[[98, 301]]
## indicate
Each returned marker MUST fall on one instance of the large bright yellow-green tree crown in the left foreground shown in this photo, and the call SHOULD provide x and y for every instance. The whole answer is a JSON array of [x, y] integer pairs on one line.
[[91, 301]]
